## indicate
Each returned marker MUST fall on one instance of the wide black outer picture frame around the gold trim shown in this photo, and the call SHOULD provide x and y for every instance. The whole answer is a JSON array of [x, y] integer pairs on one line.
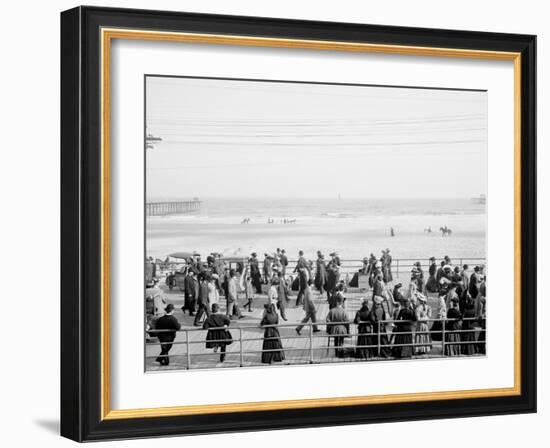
[[81, 214]]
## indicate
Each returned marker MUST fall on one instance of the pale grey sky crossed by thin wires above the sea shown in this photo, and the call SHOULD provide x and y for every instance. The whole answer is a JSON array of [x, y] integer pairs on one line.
[[236, 138]]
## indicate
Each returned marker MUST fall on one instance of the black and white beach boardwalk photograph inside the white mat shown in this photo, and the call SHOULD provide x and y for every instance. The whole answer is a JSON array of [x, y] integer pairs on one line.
[[294, 223]]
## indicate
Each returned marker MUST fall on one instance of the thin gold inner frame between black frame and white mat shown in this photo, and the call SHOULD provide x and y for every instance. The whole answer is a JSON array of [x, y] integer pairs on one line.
[[107, 35]]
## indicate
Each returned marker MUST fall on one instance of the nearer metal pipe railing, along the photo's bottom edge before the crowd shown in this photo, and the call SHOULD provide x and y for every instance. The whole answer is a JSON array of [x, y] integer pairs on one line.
[[382, 343]]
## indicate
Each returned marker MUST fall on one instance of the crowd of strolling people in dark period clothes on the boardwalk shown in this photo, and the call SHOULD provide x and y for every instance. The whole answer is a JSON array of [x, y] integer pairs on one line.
[[392, 321]]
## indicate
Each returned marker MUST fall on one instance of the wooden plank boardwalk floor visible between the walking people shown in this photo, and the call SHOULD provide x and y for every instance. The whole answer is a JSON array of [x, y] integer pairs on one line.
[[297, 348]]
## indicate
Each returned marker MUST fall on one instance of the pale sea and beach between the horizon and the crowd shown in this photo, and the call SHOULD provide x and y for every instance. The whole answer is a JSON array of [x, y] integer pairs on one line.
[[353, 227]]
